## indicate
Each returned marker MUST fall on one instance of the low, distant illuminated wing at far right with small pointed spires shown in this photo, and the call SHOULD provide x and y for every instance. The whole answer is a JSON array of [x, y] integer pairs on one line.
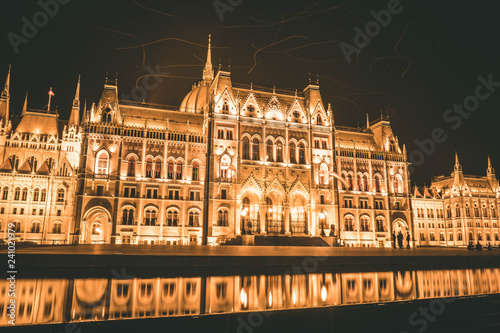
[[458, 209]]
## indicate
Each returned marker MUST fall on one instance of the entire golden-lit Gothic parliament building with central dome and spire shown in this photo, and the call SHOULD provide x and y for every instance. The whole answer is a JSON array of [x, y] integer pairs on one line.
[[231, 160]]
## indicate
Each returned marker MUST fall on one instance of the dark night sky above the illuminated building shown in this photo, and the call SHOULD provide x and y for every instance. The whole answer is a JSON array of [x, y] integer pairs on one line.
[[427, 58]]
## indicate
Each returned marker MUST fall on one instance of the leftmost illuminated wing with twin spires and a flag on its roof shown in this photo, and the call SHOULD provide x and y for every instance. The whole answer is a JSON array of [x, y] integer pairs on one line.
[[39, 158]]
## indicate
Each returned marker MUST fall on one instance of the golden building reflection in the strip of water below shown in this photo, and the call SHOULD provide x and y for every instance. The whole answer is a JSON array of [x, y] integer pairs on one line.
[[44, 301]]
